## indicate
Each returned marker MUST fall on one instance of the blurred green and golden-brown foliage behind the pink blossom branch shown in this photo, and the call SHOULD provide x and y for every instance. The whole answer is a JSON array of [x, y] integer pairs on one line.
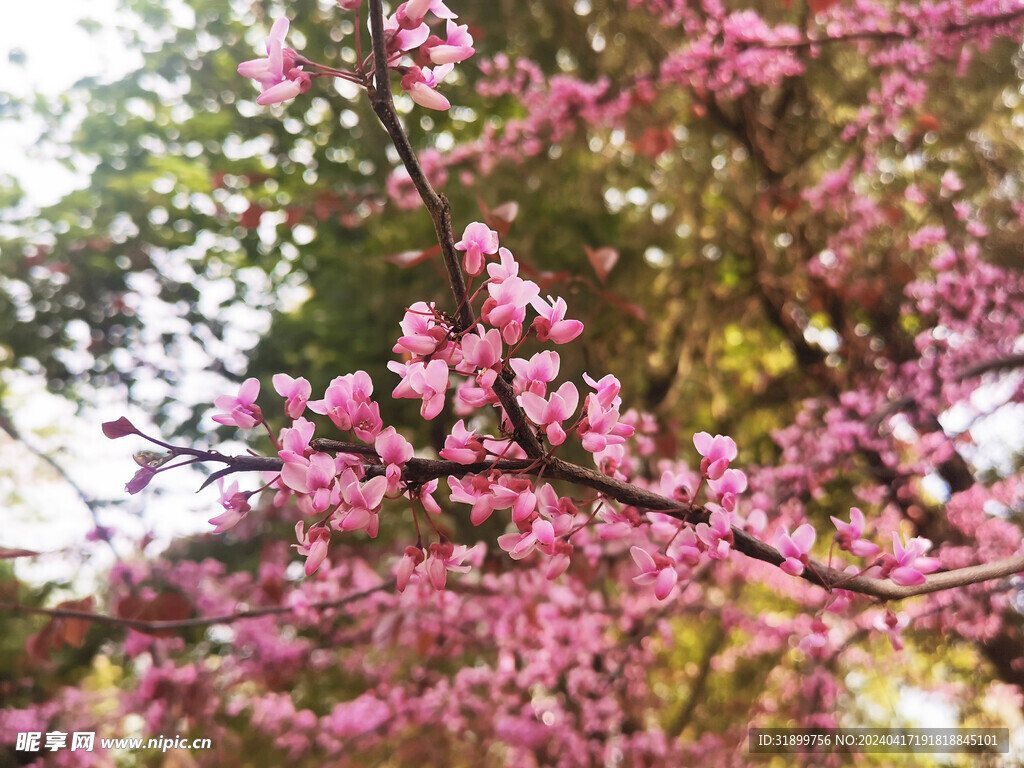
[[195, 189]]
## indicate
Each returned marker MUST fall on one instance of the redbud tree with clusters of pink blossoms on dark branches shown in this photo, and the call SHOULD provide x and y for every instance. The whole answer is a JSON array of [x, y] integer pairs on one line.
[[529, 575]]
